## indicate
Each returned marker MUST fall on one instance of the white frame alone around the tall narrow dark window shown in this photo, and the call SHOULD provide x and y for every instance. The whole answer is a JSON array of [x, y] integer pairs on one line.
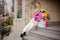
[[16, 10]]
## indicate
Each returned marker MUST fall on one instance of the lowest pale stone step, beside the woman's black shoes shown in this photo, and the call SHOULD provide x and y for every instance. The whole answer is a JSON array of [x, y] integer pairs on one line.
[[34, 36]]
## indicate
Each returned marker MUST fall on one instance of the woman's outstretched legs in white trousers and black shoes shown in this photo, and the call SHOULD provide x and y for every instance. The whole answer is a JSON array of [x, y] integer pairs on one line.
[[28, 27]]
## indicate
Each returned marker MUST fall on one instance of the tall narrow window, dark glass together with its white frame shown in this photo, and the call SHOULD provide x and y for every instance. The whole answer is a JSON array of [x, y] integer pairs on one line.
[[19, 9]]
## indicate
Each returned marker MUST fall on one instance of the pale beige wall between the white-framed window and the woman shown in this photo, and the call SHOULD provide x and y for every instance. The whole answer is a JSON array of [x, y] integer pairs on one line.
[[28, 15]]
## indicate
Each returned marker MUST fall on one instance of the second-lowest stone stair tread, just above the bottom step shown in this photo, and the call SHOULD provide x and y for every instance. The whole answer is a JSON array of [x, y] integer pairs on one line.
[[46, 34]]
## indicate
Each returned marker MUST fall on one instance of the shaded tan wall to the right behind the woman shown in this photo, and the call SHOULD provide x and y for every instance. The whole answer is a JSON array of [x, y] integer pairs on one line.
[[53, 7]]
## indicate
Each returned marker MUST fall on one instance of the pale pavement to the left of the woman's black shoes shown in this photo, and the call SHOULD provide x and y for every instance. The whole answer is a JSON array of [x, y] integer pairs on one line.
[[15, 35]]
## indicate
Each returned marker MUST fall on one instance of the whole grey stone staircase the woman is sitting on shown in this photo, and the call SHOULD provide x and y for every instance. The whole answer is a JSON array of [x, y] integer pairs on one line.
[[50, 33]]
